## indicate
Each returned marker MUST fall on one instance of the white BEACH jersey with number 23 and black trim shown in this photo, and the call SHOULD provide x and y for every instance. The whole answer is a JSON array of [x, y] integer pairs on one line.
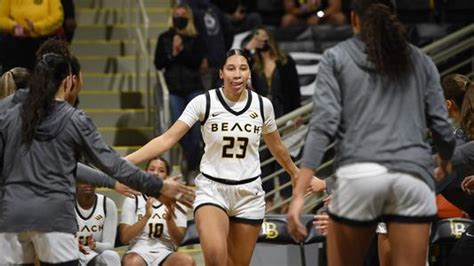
[[232, 138]]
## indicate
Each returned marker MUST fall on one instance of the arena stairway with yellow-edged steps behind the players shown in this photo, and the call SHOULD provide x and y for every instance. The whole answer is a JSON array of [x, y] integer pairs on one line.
[[107, 56]]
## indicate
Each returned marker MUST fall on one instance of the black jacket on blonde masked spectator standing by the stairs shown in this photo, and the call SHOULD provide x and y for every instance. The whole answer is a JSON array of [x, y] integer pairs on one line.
[[181, 71]]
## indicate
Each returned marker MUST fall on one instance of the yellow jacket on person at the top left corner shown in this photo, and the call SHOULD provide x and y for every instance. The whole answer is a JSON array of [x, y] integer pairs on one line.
[[46, 15]]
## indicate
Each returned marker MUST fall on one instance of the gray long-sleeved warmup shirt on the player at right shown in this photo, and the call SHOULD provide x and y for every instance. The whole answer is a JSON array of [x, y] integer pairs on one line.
[[374, 119]]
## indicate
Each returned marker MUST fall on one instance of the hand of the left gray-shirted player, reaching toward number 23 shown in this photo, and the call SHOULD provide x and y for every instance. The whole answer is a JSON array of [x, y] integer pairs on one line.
[[174, 190]]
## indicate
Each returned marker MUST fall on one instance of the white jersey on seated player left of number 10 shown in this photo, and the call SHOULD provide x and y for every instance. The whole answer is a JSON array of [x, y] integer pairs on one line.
[[93, 224]]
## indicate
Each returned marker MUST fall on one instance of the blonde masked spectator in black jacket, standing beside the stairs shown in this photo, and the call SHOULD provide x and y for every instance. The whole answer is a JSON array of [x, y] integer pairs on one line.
[[180, 52]]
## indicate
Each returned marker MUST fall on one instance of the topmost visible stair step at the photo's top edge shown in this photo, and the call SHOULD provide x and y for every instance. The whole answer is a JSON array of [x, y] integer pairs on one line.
[[119, 3]]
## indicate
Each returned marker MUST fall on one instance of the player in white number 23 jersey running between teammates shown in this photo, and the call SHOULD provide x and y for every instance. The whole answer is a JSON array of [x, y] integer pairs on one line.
[[229, 207]]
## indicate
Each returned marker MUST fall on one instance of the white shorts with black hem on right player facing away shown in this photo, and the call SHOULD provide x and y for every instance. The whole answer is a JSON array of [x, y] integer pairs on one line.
[[366, 193]]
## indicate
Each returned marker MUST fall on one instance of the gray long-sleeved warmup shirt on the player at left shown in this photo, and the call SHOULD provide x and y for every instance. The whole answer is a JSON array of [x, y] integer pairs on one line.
[[37, 186]]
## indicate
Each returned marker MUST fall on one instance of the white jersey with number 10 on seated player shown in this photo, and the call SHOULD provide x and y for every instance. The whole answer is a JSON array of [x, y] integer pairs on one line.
[[155, 234]]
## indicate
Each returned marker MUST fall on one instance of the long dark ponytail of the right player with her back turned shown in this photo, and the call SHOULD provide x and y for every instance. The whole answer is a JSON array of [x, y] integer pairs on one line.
[[384, 36]]
